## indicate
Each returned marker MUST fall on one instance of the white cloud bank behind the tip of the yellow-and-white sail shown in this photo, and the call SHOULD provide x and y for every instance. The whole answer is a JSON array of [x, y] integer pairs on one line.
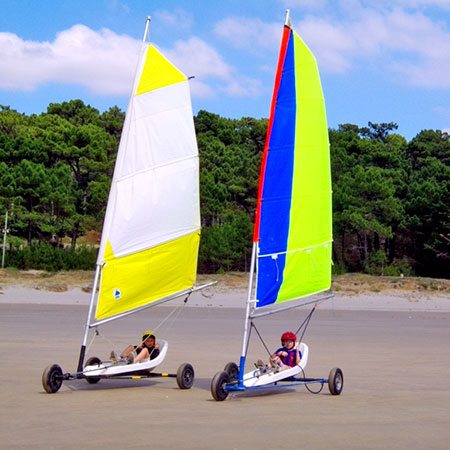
[[104, 62]]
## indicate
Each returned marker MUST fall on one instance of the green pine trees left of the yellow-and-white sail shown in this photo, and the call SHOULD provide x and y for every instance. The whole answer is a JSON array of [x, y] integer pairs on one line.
[[55, 169]]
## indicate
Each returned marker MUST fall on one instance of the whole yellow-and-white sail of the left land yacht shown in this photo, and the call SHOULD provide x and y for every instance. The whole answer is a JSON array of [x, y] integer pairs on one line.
[[151, 231]]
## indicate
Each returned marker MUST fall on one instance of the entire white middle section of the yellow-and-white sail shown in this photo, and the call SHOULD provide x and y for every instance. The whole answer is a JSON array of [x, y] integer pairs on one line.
[[155, 194]]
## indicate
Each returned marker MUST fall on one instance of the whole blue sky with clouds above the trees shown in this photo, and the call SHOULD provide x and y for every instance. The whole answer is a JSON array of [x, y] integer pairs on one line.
[[380, 60]]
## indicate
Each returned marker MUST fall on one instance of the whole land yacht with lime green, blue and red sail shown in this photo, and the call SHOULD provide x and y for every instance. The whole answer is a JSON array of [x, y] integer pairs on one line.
[[292, 238]]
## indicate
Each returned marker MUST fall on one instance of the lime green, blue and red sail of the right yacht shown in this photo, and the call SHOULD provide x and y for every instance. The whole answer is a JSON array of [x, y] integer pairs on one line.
[[293, 228]]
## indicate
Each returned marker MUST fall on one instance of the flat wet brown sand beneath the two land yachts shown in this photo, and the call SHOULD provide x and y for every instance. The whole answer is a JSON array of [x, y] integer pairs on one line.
[[395, 362]]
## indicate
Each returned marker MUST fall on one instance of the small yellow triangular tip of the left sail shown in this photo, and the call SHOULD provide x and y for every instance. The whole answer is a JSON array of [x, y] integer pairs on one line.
[[157, 72]]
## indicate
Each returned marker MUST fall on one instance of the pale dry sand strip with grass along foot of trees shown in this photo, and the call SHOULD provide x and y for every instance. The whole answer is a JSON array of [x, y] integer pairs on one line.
[[231, 292]]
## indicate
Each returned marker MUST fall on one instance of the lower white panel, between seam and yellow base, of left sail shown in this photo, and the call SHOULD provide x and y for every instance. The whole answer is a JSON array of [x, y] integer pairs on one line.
[[170, 211]]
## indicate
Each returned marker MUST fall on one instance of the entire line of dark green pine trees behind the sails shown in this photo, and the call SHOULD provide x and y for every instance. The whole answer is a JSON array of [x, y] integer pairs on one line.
[[391, 207]]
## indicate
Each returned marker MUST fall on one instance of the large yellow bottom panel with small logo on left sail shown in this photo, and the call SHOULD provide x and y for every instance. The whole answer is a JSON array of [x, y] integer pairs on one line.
[[140, 278]]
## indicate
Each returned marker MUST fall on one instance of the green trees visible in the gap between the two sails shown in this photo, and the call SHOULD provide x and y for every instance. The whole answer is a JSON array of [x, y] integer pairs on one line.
[[230, 153]]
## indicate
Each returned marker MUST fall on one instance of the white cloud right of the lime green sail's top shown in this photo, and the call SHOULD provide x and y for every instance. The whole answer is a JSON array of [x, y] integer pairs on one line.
[[411, 46]]
